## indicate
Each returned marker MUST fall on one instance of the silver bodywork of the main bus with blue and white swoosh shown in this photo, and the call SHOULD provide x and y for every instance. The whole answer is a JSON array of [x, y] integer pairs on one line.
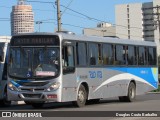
[[102, 81]]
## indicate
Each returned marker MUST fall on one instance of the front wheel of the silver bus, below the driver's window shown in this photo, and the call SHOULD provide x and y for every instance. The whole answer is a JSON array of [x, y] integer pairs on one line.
[[81, 97]]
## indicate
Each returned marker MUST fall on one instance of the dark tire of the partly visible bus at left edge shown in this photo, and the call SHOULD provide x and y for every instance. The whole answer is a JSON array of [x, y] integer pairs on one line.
[[5, 101]]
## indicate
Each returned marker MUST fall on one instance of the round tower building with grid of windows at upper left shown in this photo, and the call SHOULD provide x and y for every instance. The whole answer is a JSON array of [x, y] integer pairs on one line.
[[22, 18]]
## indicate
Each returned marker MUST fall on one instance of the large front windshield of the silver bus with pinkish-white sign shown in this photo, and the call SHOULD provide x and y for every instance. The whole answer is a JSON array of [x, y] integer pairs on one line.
[[39, 62]]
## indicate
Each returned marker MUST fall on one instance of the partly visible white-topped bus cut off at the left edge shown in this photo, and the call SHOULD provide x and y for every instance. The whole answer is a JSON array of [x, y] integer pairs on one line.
[[4, 42]]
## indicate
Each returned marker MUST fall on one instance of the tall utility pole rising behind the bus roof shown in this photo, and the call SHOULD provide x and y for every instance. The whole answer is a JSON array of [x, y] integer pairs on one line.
[[58, 15]]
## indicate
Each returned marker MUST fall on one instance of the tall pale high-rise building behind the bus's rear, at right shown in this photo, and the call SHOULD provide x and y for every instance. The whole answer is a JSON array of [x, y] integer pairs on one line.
[[138, 21]]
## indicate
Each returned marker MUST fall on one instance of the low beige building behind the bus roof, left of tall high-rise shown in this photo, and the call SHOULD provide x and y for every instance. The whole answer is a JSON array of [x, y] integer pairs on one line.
[[102, 29]]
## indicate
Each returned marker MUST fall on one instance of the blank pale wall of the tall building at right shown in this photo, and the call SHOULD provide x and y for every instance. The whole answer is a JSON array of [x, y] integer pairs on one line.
[[129, 21]]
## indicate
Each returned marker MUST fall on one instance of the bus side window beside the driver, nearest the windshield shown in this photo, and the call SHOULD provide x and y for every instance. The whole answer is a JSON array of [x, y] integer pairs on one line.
[[68, 59]]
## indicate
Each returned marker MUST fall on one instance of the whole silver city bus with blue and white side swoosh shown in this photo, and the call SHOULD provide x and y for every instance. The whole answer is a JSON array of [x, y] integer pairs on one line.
[[58, 67]]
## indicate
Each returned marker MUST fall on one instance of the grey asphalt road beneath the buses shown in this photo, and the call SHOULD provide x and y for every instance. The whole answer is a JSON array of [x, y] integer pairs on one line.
[[148, 102]]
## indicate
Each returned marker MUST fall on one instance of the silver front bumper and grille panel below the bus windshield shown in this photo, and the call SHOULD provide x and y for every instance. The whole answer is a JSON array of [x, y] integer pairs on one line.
[[35, 93]]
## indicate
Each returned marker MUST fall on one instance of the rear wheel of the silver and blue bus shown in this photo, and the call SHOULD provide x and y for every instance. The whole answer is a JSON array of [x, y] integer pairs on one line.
[[131, 96]]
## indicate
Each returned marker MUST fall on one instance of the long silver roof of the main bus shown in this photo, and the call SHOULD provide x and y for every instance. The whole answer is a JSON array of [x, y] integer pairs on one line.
[[71, 37]]
